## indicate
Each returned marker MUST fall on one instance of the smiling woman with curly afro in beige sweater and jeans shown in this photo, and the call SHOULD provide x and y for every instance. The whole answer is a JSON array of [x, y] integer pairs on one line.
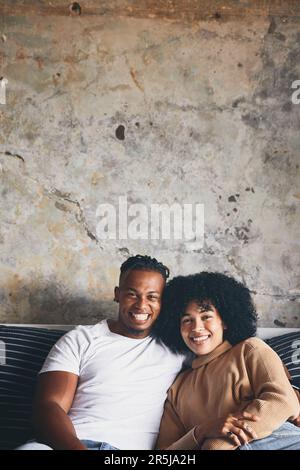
[[237, 394]]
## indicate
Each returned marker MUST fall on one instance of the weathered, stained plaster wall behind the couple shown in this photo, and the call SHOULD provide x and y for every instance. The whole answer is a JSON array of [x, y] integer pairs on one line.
[[208, 118]]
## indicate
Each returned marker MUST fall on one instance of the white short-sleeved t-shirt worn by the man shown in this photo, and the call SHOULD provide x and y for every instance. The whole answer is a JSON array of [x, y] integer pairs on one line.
[[122, 385]]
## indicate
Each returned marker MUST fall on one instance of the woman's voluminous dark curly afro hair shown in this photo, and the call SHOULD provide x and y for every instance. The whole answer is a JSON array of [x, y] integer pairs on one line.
[[231, 298]]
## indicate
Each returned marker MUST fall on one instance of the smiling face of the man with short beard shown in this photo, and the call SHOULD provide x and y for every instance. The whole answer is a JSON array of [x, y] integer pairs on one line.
[[139, 296]]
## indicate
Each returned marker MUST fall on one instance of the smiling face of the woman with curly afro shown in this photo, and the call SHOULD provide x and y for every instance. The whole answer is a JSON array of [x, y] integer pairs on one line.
[[201, 328]]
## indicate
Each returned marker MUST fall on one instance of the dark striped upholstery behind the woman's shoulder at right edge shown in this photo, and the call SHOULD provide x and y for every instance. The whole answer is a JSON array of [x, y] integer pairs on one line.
[[288, 348]]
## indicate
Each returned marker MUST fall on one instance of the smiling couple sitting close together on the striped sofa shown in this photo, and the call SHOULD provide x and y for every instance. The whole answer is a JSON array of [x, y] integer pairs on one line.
[[109, 386]]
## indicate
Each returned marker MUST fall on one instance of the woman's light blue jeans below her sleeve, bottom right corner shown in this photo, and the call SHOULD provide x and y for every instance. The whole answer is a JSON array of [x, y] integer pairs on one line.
[[286, 437]]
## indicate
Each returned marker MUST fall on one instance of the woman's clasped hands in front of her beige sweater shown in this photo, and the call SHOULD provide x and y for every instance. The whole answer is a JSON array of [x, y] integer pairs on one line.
[[233, 427]]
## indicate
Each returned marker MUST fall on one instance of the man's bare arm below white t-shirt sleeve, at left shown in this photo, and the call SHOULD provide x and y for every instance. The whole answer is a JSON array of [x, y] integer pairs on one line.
[[54, 398]]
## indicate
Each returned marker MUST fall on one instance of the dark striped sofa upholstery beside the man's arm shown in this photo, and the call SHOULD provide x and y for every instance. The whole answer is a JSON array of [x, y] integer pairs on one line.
[[22, 353]]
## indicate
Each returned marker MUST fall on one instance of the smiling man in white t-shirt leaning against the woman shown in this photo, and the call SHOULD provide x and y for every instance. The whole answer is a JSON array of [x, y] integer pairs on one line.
[[104, 386]]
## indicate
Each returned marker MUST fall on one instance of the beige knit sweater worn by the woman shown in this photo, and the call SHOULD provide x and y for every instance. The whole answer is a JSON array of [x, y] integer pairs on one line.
[[249, 376]]
